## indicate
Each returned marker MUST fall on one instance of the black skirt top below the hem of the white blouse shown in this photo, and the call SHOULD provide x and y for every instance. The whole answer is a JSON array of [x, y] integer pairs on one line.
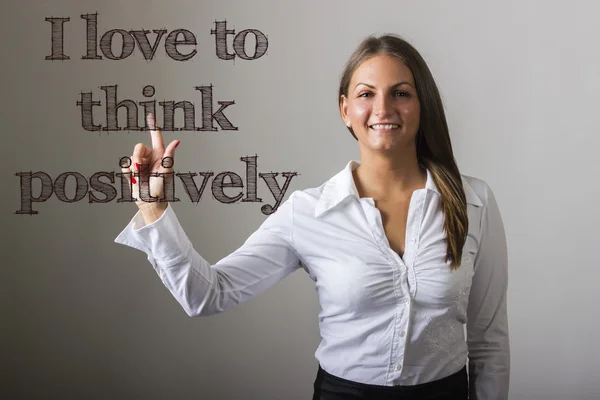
[[330, 387]]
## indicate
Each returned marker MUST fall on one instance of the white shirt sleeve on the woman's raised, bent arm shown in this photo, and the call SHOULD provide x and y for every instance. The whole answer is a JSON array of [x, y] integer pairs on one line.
[[202, 289]]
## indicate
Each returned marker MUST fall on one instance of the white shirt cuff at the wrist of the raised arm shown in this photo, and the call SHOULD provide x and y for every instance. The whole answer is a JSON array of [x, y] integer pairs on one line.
[[163, 240]]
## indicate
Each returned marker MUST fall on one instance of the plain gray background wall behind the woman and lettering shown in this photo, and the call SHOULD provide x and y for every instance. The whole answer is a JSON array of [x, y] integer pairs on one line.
[[85, 318]]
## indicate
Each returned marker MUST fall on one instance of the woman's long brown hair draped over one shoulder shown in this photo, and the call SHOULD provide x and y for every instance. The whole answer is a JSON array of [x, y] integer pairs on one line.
[[434, 150]]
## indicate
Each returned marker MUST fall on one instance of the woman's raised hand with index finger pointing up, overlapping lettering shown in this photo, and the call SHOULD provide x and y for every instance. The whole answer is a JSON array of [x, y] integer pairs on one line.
[[145, 162]]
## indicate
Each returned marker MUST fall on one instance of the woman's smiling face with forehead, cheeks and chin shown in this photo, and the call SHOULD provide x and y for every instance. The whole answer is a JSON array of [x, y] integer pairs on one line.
[[382, 106]]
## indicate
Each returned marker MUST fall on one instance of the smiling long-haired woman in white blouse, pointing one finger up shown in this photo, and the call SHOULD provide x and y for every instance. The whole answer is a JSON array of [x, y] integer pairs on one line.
[[403, 249]]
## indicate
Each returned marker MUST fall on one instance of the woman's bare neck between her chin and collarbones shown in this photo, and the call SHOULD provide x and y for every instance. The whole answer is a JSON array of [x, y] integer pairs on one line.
[[386, 178]]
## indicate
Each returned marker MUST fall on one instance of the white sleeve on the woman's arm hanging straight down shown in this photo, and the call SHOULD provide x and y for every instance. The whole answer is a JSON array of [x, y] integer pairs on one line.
[[487, 324]]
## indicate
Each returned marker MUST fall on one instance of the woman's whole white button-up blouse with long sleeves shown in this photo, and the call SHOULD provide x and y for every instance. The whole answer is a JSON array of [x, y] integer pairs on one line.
[[385, 319]]
